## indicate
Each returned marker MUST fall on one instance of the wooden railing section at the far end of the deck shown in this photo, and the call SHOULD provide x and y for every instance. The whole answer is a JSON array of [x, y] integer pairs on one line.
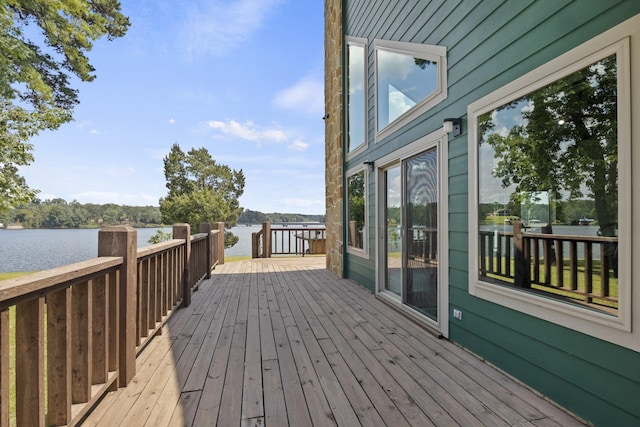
[[288, 241]]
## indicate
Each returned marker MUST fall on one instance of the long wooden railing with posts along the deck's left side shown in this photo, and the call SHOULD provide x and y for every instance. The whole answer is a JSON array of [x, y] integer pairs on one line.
[[91, 319]]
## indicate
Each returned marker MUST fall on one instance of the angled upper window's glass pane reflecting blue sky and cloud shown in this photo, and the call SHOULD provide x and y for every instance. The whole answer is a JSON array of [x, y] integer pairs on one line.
[[403, 82]]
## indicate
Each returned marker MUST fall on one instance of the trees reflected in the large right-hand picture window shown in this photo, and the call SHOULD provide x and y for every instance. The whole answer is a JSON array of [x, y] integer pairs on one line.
[[562, 140]]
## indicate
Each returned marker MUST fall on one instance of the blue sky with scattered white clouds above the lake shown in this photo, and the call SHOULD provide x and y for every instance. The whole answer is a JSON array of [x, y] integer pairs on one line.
[[243, 78]]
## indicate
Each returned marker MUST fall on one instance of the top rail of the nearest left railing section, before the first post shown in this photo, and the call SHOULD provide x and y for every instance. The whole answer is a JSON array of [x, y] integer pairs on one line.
[[24, 287]]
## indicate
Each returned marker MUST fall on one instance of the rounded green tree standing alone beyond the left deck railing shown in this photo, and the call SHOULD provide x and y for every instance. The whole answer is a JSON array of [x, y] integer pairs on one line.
[[201, 190]]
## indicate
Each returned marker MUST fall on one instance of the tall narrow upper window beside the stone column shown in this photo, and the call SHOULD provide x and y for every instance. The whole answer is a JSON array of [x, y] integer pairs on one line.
[[356, 93]]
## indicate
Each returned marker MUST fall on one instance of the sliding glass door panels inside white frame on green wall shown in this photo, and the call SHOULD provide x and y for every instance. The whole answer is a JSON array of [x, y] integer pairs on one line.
[[410, 270]]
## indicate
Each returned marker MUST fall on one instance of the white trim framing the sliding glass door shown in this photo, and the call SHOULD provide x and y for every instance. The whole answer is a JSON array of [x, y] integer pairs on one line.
[[437, 139]]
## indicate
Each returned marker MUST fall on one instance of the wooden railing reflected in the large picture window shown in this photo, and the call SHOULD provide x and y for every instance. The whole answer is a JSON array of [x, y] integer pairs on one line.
[[582, 268]]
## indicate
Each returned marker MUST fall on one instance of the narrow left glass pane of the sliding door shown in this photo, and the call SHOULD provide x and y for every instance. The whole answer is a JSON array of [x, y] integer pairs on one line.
[[393, 199]]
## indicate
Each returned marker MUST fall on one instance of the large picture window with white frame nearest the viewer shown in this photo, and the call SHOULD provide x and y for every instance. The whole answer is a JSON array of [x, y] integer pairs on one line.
[[549, 183]]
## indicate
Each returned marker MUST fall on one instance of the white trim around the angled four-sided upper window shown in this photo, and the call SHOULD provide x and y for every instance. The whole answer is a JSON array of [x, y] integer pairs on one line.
[[425, 51]]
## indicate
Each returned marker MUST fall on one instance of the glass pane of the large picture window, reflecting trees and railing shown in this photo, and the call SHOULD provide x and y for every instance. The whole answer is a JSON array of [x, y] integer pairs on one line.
[[548, 189]]
